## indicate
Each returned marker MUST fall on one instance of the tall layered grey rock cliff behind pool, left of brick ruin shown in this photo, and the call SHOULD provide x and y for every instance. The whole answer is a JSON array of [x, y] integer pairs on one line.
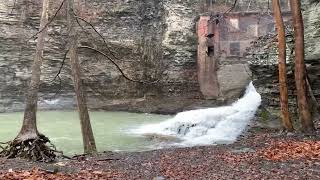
[[151, 40]]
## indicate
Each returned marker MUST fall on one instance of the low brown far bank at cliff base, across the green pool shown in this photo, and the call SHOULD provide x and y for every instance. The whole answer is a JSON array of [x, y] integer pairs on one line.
[[154, 105]]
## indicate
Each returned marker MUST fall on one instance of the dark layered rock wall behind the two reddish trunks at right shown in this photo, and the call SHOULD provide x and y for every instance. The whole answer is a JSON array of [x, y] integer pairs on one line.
[[263, 63]]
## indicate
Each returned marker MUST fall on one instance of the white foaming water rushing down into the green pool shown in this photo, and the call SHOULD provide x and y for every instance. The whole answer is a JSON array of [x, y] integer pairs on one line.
[[208, 126]]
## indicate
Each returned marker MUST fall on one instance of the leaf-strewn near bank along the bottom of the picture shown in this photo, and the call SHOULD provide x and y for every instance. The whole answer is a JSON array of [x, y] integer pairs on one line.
[[259, 153]]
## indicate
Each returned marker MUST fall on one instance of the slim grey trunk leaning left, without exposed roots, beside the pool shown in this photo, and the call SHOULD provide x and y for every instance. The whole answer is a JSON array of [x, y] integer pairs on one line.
[[87, 134]]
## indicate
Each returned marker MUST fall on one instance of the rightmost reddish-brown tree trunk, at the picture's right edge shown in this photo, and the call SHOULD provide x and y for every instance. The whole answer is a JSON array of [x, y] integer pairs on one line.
[[300, 73]]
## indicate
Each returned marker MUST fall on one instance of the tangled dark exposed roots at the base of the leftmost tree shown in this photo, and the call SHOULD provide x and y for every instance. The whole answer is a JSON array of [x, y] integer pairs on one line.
[[34, 149]]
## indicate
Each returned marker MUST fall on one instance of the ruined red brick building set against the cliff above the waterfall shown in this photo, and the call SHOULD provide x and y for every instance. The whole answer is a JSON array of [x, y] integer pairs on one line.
[[224, 37]]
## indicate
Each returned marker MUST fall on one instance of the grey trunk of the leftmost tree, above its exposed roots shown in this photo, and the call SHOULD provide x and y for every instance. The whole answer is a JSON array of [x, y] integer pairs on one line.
[[29, 126]]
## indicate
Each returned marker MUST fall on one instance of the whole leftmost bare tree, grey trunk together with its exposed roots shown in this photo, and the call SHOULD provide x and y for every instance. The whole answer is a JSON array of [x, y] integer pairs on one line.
[[29, 143]]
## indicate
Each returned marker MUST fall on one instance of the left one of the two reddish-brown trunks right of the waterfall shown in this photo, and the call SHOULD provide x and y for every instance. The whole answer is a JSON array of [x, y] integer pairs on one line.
[[286, 121]]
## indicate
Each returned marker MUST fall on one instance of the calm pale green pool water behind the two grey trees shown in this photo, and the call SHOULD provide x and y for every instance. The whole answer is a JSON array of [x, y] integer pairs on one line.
[[63, 128]]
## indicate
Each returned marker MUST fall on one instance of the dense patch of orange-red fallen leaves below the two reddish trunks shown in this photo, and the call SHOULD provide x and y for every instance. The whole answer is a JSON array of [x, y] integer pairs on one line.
[[285, 150]]
